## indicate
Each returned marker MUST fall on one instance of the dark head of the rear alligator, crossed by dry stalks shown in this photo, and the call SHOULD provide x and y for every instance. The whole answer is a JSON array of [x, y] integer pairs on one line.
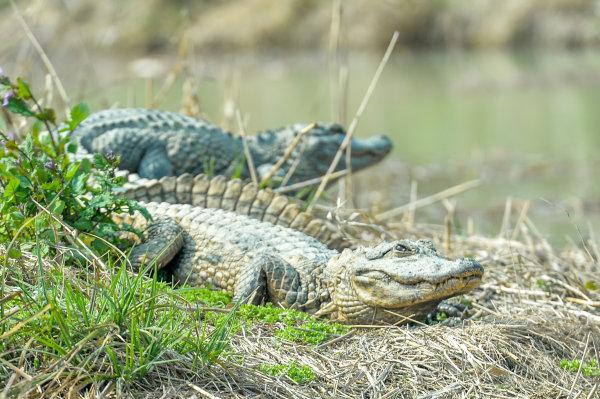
[[315, 151]]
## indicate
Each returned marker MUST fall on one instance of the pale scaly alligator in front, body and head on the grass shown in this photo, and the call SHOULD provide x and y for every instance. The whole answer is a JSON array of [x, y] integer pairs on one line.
[[255, 261]]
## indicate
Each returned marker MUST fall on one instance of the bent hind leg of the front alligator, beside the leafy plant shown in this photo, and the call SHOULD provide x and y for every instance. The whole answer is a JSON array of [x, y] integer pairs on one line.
[[164, 240]]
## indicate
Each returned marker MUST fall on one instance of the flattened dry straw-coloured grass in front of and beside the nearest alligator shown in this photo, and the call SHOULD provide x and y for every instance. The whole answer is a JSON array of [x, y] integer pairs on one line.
[[532, 310]]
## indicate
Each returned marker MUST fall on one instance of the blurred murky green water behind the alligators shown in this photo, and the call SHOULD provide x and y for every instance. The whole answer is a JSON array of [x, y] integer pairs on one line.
[[526, 124]]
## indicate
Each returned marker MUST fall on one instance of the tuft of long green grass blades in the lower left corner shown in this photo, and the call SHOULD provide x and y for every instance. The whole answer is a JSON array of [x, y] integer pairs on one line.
[[112, 325]]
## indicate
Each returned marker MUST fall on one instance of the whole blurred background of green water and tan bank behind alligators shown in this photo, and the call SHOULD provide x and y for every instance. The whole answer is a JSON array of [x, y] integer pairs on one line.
[[504, 91]]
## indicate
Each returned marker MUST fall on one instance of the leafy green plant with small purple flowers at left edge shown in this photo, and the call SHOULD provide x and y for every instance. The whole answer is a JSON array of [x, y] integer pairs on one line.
[[45, 188]]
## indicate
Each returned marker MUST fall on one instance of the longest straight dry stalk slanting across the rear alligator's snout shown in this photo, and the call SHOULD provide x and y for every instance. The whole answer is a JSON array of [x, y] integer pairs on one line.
[[357, 116]]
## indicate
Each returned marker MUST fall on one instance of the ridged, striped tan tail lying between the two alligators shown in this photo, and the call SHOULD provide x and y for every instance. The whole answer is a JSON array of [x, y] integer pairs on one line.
[[235, 195]]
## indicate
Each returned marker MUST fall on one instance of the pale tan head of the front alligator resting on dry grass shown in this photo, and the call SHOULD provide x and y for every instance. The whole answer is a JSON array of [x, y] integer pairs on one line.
[[395, 282]]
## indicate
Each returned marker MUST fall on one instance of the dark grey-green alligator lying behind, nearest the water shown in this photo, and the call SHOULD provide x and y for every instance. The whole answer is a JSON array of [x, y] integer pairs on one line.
[[157, 143]]
